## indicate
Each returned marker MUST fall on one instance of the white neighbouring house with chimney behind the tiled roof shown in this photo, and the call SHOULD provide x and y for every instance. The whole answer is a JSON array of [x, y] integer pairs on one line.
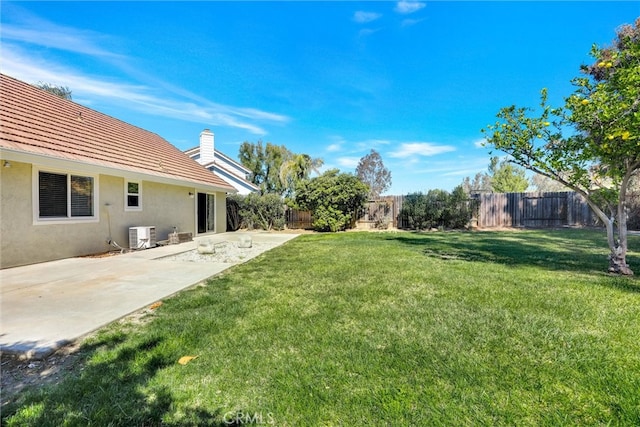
[[222, 165]]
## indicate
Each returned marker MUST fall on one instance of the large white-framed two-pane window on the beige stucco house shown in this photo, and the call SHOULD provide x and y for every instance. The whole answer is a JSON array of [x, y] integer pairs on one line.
[[65, 196]]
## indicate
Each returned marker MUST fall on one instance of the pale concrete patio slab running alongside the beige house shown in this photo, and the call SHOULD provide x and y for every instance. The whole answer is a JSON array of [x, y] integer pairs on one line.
[[47, 305]]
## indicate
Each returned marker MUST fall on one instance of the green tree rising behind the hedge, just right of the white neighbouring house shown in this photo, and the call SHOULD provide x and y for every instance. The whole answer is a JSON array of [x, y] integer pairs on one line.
[[265, 163]]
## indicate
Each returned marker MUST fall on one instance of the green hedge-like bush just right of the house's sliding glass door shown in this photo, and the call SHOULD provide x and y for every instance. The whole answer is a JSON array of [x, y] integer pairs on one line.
[[257, 211]]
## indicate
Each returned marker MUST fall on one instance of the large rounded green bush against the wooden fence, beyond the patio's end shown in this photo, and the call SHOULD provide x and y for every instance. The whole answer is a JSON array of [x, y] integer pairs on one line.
[[334, 199]]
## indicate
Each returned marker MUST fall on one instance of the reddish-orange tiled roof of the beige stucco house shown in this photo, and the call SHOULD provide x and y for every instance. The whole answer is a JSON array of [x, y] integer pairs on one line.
[[39, 123]]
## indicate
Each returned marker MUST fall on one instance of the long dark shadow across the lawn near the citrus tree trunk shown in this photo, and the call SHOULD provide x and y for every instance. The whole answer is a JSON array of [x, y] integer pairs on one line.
[[583, 251]]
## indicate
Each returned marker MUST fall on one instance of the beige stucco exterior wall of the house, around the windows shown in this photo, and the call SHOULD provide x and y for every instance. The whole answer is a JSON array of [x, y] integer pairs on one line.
[[22, 242]]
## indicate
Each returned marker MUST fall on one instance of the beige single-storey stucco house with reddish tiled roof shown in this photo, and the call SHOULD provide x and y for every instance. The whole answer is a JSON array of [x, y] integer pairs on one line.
[[72, 179]]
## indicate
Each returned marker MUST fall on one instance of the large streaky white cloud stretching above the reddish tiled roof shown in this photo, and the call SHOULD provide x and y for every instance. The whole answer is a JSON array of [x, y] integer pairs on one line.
[[151, 96]]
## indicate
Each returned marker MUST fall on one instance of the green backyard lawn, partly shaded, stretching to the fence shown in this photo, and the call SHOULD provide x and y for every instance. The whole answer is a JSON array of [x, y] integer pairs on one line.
[[509, 328]]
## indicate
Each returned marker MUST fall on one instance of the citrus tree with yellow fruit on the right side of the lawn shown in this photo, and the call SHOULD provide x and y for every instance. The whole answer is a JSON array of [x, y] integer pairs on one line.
[[592, 143]]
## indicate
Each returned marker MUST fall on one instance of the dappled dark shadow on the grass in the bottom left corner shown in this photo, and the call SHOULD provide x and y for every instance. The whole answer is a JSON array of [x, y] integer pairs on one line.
[[109, 386]]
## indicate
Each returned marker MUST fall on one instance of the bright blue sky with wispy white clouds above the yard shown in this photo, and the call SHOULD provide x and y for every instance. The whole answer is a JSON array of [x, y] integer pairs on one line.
[[416, 81]]
